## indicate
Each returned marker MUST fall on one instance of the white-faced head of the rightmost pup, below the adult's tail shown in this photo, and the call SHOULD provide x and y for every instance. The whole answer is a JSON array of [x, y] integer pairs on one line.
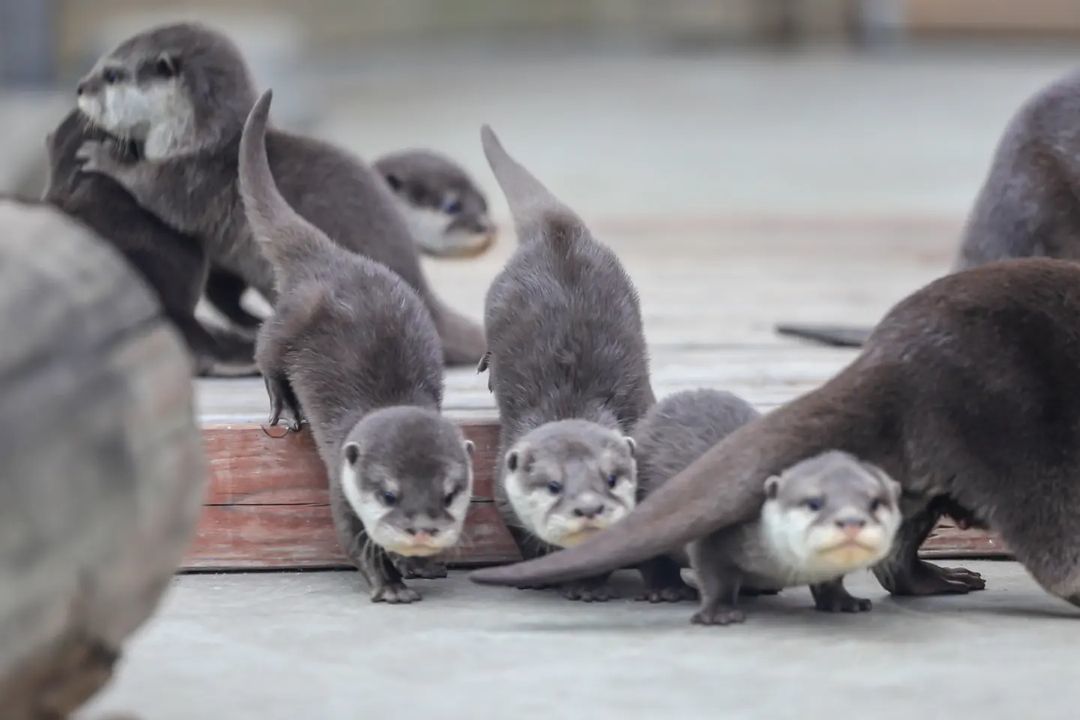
[[831, 514]]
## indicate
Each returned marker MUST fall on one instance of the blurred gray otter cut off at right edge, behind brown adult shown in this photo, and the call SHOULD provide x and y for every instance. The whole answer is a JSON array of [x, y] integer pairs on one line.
[[1027, 207]]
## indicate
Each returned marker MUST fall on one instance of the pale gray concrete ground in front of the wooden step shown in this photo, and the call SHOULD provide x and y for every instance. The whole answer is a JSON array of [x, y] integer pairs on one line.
[[310, 646]]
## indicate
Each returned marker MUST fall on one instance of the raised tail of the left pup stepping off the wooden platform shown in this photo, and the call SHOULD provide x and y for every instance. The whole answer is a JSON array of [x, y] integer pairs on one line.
[[286, 238]]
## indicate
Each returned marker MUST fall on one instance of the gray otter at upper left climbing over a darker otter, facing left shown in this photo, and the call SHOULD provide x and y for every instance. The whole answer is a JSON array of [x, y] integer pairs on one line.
[[183, 93]]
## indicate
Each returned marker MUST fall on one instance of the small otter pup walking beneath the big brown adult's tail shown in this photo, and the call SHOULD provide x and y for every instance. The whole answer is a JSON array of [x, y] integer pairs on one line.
[[822, 519]]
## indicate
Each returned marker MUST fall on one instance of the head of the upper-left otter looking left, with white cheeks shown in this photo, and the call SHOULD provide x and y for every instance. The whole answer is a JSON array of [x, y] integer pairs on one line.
[[174, 89]]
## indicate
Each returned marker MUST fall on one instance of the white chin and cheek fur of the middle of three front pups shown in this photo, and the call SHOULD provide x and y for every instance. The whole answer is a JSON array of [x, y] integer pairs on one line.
[[533, 510]]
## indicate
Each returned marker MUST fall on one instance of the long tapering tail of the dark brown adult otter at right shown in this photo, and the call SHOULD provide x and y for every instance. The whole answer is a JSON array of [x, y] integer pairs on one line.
[[722, 488]]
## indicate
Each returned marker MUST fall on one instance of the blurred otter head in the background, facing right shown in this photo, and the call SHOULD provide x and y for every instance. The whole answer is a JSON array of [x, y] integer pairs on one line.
[[445, 210]]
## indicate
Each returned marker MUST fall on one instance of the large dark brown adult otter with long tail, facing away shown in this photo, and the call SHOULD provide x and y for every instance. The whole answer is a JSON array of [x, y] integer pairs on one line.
[[967, 395]]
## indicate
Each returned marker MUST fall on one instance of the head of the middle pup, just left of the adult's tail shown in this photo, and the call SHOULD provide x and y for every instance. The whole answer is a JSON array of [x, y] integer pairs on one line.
[[570, 480]]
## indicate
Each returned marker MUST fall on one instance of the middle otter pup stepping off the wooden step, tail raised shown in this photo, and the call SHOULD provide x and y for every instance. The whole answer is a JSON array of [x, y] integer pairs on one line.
[[569, 368]]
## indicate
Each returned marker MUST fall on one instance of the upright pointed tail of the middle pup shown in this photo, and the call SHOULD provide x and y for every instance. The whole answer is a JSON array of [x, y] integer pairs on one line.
[[537, 212]]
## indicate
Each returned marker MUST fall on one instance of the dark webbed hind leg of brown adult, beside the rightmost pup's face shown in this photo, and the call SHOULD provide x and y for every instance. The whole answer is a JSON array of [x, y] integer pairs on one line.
[[904, 574]]
